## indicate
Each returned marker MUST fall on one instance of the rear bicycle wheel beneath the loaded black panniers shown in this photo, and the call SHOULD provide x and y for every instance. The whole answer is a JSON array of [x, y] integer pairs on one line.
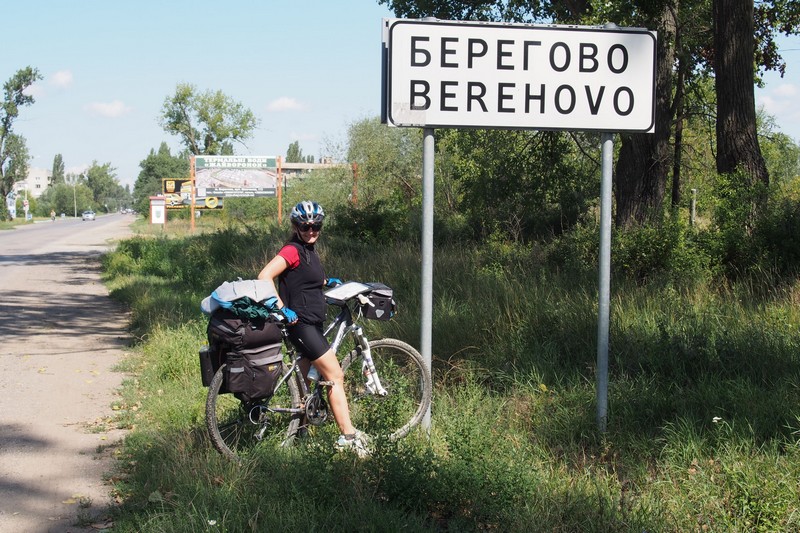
[[236, 429]]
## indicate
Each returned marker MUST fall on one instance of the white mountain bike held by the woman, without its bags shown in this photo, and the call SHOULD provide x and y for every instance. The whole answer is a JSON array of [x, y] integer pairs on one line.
[[388, 387]]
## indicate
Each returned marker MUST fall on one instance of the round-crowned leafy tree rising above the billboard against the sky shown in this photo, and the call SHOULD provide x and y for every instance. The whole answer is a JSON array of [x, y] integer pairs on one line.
[[207, 123]]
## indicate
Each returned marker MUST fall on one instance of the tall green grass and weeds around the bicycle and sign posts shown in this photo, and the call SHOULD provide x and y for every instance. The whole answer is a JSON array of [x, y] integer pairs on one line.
[[703, 423]]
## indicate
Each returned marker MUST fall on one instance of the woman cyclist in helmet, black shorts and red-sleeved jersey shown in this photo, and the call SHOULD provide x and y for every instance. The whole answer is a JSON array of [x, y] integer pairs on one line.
[[301, 280]]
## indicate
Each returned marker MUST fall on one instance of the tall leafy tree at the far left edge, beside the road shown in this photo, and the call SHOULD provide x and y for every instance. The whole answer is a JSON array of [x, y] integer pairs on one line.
[[13, 151]]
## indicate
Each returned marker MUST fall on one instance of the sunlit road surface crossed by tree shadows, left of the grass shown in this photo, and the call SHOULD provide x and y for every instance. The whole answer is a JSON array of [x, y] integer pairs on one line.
[[60, 338]]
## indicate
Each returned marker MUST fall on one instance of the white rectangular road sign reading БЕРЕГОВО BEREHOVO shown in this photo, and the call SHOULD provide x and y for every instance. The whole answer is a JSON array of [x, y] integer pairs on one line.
[[518, 76]]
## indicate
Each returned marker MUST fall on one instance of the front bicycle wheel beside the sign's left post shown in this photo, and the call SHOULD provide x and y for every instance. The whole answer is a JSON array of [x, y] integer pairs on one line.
[[405, 394]]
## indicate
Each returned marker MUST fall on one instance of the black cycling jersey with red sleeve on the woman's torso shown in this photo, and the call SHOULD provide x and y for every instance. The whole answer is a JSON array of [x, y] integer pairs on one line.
[[300, 285]]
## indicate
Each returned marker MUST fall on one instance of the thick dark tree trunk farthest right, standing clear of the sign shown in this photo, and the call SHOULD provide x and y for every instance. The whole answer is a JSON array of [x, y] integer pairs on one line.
[[737, 141]]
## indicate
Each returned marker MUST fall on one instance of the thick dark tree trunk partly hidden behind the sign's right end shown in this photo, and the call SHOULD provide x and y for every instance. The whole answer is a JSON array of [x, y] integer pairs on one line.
[[644, 158]]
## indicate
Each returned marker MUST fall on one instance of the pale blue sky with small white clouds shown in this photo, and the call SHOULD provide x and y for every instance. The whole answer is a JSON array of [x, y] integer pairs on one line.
[[306, 68]]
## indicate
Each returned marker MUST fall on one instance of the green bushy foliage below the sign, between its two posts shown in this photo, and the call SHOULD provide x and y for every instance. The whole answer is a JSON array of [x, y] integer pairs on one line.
[[517, 184]]
